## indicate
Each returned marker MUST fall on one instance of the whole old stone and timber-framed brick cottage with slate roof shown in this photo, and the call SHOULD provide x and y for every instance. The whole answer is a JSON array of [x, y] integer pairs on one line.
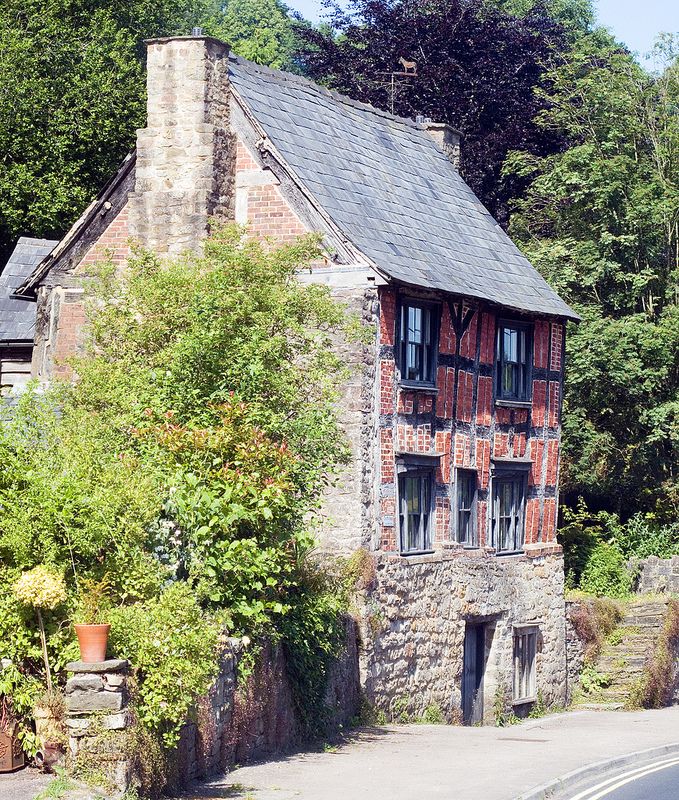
[[454, 410]]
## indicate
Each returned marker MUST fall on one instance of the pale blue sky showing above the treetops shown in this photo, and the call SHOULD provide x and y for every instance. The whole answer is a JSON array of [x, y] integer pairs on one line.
[[635, 22]]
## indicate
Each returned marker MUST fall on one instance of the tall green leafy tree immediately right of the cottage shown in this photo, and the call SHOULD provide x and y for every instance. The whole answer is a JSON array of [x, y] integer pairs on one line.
[[600, 220]]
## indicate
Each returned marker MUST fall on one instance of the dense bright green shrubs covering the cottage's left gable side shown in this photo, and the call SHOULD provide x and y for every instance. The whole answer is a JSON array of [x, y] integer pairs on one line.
[[185, 467]]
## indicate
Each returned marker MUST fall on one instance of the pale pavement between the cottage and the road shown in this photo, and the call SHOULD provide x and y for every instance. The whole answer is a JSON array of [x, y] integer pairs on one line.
[[418, 762]]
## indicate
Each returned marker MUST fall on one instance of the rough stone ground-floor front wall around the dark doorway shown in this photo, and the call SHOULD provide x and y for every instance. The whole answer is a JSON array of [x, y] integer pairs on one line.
[[413, 628]]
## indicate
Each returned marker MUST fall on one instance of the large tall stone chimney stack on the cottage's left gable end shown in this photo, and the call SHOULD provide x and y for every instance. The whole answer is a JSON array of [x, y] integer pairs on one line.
[[186, 153]]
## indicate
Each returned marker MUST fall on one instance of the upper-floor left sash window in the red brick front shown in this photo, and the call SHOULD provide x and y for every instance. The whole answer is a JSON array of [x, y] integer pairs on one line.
[[418, 342]]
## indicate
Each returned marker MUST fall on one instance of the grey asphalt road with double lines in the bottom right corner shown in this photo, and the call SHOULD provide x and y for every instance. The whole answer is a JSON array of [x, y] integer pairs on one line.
[[658, 780]]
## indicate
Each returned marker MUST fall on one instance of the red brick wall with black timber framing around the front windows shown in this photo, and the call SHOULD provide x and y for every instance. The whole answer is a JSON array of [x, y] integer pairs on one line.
[[463, 424]]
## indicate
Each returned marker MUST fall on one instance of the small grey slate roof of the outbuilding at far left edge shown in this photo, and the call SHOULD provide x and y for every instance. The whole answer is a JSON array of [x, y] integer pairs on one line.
[[17, 317]]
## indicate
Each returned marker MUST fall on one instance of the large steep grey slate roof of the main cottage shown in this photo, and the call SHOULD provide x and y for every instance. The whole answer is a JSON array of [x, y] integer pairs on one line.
[[392, 192]]
